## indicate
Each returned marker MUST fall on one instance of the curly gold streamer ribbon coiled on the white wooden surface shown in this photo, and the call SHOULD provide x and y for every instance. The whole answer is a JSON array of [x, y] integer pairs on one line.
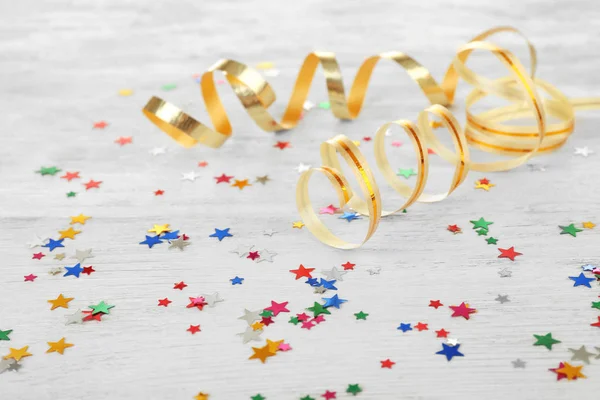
[[485, 130]]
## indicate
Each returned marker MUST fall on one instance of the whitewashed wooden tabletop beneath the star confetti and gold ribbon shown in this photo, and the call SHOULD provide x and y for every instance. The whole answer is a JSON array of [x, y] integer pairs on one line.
[[61, 65]]
